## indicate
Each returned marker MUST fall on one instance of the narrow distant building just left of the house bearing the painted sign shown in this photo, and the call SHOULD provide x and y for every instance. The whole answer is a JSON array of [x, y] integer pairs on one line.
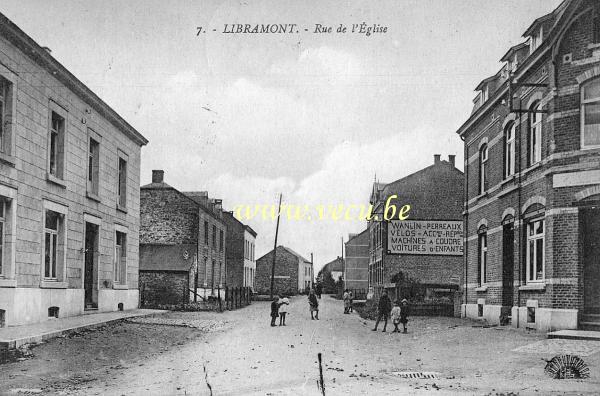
[[356, 263]]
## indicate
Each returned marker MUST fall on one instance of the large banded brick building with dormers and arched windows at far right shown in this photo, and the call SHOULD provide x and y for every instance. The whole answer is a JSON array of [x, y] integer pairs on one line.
[[532, 145]]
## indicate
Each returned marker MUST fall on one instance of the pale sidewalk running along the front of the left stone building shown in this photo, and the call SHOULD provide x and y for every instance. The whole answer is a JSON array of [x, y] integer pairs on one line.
[[16, 336]]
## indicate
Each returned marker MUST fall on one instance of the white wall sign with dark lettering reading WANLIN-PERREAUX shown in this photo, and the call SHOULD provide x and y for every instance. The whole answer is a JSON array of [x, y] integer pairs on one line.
[[433, 237]]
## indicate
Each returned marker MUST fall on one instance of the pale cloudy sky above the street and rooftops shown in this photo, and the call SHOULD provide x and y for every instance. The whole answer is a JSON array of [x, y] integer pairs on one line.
[[313, 116]]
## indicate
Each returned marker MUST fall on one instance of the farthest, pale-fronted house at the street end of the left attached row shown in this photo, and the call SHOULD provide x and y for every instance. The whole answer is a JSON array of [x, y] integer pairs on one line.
[[239, 255]]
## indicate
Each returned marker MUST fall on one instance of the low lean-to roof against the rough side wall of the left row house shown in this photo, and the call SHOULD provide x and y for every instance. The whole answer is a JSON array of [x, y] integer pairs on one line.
[[154, 257]]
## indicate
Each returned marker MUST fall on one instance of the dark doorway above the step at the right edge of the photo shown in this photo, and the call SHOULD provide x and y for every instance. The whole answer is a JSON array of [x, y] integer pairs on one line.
[[590, 236]]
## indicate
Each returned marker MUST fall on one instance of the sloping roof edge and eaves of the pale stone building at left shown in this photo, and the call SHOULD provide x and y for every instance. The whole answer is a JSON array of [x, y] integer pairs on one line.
[[43, 58]]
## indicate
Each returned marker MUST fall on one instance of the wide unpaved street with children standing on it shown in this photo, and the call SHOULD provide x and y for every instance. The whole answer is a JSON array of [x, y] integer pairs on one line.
[[246, 356]]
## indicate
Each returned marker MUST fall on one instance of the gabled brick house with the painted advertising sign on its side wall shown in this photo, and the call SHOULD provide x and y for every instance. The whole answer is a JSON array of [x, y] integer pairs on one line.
[[427, 246]]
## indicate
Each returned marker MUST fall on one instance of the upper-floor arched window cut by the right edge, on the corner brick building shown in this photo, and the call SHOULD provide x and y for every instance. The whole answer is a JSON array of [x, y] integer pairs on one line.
[[590, 114]]
